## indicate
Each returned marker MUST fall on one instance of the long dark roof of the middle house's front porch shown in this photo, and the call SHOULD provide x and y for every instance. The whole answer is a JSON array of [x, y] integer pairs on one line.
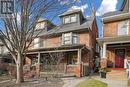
[[59, 49]]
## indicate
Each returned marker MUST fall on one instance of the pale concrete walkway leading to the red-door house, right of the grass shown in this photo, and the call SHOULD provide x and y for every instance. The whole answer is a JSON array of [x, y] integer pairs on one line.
[[112, 83]]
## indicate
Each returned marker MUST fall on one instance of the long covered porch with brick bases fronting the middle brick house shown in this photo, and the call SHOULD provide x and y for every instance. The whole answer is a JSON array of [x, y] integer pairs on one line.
[[65, 60]]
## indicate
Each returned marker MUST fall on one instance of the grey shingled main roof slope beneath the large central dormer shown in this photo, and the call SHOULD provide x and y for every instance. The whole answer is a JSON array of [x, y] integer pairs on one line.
[[67, 28]]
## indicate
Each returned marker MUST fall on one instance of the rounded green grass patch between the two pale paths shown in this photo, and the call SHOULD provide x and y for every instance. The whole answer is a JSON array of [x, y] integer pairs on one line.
[[92, 83]]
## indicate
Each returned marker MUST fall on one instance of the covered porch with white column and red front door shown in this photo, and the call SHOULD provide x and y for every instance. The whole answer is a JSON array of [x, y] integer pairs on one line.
[[114, 51]]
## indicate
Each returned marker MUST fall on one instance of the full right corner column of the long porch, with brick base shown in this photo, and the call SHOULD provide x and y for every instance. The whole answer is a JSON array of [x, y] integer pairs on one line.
[[78, 69]]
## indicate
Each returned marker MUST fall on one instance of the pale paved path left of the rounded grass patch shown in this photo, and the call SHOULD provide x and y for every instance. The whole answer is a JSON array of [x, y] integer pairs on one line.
[[72, 81]]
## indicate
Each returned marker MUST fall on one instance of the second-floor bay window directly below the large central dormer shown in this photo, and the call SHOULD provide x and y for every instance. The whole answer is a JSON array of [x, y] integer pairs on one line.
[[69, 38]]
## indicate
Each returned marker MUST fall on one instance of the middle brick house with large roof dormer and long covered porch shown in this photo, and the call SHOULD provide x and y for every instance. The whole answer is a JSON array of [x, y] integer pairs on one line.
[[74, 41]]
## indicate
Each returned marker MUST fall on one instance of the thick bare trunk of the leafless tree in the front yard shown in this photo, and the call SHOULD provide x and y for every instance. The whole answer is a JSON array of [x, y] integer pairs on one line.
[[19, 66]]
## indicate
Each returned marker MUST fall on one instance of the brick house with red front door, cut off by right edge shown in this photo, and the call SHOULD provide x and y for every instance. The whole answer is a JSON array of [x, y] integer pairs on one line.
[[115, 40]]
